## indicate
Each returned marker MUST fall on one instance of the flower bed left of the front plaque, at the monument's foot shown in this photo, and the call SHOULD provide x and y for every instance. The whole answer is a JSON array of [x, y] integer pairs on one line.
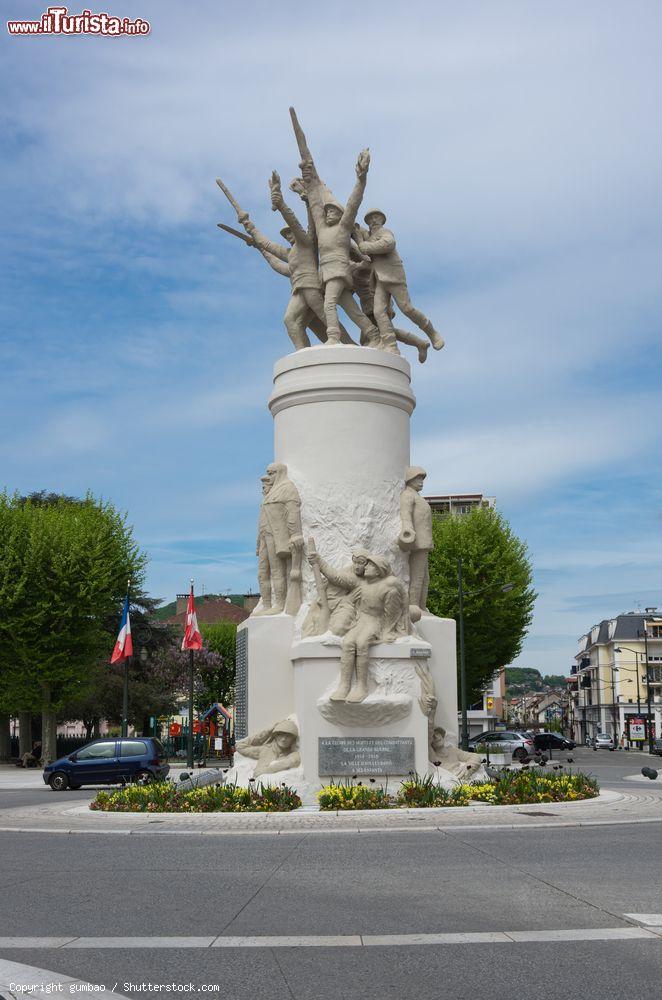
[[165, 797]]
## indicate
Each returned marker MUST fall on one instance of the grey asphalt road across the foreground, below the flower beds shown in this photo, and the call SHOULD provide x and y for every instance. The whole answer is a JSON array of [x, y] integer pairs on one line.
[[580, 881]]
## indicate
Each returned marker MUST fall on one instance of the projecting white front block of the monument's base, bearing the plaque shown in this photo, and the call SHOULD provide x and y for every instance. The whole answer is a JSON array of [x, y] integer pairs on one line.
[[384, 735]]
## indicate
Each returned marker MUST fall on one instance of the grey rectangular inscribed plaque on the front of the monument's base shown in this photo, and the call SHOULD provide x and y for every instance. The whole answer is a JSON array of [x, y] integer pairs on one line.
[[366, 755]]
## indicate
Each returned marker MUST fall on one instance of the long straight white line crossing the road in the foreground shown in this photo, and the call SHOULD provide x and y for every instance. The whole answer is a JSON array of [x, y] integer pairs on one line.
[[343, 940]]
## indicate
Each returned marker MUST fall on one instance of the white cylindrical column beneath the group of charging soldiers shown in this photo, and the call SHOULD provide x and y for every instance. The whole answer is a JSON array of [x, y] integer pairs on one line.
[[341, 425]]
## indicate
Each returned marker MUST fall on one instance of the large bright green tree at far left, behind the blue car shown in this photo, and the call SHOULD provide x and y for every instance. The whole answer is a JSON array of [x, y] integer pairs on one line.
[[64, 564]]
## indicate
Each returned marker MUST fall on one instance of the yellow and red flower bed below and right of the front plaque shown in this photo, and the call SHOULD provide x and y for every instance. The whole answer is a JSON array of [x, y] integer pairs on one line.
[[510, 788]]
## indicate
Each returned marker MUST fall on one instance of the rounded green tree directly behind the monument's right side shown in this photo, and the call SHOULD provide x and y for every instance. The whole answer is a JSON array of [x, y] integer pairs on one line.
[[495, 622]]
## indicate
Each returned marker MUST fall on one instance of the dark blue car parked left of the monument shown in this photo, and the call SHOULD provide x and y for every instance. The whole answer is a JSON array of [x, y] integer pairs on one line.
[[109, 761]]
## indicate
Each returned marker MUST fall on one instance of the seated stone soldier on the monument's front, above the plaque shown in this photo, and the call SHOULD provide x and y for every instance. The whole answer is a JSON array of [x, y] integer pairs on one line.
[[380, 600]]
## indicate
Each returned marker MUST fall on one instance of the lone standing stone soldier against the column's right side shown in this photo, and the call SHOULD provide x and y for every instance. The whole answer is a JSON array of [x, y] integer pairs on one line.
[[416, 535]]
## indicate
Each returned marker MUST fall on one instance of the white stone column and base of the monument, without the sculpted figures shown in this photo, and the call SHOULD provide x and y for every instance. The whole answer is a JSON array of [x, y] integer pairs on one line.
[[341, 427]]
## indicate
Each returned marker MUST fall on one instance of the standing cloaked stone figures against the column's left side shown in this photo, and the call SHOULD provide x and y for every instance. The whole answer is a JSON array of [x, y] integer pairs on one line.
[[280, 543]]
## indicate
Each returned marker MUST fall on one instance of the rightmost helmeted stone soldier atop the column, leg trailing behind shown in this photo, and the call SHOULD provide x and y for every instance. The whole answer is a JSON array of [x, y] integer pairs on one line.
[[379, 245]]
